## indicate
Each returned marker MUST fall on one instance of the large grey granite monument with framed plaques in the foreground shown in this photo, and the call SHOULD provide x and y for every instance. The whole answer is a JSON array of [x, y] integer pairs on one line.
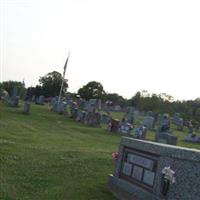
[[152, 171]]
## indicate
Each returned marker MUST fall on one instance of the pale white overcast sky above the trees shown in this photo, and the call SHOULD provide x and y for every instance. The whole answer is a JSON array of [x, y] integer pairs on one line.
[[126, 45]]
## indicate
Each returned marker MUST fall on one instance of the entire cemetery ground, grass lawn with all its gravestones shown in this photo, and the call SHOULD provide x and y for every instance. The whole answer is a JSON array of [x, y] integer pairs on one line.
[[65, 149]]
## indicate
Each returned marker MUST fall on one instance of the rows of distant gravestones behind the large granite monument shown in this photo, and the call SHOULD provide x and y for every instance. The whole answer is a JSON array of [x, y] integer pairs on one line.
[[91, 117]]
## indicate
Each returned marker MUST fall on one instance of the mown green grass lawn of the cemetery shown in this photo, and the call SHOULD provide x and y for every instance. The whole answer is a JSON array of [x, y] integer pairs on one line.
[[49, 156]]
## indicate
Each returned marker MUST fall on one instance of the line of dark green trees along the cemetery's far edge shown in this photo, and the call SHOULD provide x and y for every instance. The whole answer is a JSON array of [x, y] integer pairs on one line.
[[49, 86]]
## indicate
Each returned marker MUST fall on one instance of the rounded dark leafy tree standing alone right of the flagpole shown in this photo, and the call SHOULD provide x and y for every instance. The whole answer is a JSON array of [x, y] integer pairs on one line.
[[92, 90]]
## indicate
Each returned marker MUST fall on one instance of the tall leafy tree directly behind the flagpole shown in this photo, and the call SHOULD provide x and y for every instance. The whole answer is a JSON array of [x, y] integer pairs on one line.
[[51, 84]]
